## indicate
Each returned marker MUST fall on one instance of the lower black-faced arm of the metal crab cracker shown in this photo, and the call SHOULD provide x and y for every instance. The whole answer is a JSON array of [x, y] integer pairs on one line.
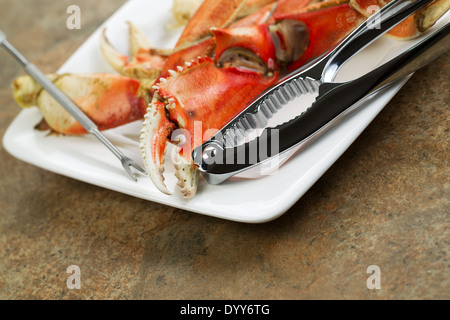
[[326, 112]]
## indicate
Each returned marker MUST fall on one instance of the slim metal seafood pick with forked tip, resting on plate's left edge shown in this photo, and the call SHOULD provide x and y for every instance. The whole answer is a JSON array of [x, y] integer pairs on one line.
[[70, 106]]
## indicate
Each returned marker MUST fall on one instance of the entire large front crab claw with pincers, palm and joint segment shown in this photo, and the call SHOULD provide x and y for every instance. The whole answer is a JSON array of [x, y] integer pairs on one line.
[[198, 98]]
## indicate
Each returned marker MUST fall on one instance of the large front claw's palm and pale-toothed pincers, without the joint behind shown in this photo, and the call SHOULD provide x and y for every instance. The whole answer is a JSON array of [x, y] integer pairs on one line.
[[200, 94]]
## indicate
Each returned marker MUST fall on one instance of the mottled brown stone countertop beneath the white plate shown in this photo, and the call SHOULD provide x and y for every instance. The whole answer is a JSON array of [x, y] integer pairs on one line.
[[385, 202]]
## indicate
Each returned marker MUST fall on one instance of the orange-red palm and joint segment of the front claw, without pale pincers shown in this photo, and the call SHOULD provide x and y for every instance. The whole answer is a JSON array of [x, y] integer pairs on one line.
[[225, 85]]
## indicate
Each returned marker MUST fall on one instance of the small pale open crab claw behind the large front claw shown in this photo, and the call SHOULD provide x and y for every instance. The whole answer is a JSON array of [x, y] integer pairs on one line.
[[145, 63]]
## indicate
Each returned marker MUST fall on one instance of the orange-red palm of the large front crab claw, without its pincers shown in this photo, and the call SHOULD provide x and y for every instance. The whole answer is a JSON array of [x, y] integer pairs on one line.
[[223, 93]]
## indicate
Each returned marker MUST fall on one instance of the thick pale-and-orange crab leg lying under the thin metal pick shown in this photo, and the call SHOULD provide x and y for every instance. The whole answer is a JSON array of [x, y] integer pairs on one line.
[[108, 100]]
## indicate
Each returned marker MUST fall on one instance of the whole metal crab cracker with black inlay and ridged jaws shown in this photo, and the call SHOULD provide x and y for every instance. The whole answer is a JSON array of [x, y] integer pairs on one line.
[[222, 156]]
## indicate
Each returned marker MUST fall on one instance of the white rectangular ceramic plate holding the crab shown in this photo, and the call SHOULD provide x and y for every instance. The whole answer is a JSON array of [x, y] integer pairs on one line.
[[243, 200]]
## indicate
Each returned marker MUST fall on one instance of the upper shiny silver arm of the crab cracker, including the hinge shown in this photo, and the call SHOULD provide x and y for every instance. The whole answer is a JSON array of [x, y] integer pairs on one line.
[[324, 70]]
